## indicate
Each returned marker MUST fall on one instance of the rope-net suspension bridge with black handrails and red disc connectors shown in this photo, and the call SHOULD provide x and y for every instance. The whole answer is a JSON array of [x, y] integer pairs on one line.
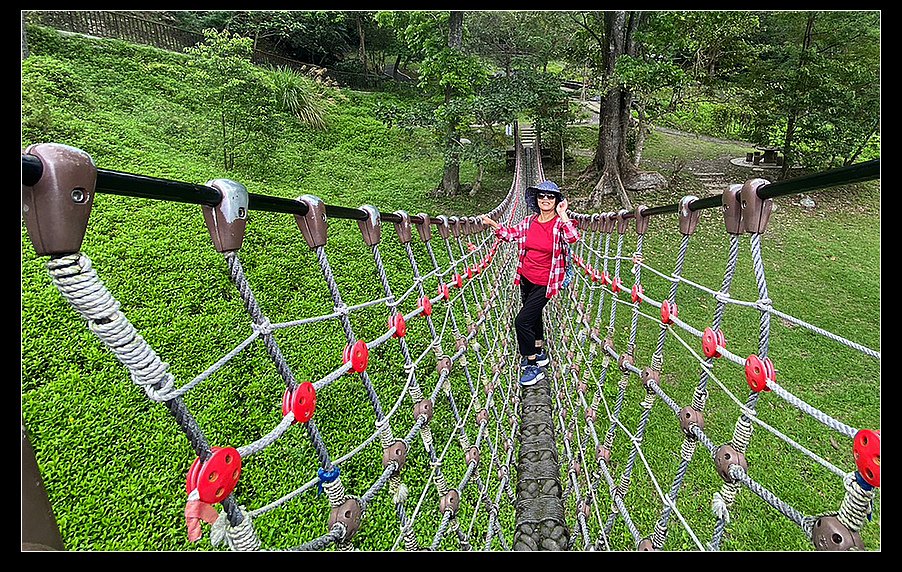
[[468, 459]]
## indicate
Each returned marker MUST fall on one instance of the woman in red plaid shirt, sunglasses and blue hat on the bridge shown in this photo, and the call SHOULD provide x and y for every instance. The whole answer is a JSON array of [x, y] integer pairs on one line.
[[540, 270]]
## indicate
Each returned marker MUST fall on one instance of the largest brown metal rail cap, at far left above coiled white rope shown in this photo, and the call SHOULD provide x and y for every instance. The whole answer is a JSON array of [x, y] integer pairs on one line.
[[57, 207]]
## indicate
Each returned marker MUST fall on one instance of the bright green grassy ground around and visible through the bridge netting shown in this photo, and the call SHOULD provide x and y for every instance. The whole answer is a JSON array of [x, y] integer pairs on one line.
[[112, 460]]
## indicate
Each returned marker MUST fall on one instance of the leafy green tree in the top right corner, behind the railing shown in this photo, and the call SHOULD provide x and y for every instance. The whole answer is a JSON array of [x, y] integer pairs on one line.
[[820, 98]]
